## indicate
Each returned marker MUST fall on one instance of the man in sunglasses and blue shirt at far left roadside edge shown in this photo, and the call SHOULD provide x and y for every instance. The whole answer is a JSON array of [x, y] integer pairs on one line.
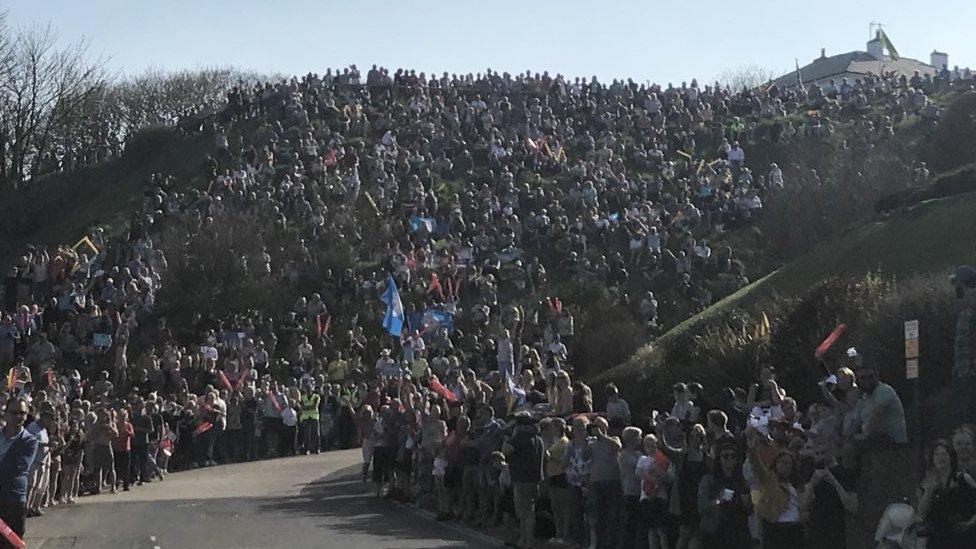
[[17, 449]]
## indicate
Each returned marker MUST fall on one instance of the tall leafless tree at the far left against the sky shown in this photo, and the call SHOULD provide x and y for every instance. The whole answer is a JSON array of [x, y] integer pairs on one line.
[[41, 87]]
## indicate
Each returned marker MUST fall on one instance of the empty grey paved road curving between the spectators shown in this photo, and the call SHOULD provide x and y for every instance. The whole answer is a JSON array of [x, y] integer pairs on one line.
[[310, 501]]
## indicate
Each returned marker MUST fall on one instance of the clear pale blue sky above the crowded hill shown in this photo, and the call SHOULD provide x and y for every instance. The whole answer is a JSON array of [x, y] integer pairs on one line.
[[653, 40]]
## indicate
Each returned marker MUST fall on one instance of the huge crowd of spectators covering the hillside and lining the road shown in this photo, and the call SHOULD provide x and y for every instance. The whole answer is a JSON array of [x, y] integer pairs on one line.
[[470, 193]]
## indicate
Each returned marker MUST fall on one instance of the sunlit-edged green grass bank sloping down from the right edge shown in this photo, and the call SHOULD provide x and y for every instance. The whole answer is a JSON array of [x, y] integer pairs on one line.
[[931, 236]]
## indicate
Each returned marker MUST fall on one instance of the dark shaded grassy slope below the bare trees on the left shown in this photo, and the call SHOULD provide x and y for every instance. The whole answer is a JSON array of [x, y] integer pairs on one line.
[[60, 208]]
